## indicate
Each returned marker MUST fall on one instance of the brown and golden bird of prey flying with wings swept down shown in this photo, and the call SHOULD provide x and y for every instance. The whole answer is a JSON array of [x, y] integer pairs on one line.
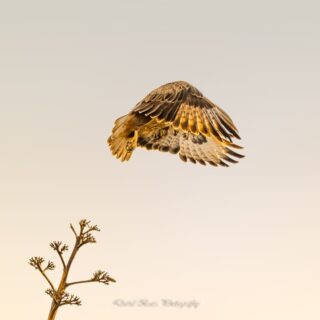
[[177, 118]]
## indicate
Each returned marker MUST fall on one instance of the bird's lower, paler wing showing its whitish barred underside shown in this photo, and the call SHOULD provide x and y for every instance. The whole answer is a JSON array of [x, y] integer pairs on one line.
[[192, 147]]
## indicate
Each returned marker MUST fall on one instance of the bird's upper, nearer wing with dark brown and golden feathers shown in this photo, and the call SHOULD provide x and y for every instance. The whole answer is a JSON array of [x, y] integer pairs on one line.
[[185, 108]]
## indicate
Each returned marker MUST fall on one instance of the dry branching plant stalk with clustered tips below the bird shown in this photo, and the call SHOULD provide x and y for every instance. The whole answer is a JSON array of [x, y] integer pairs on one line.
[[58, 294]]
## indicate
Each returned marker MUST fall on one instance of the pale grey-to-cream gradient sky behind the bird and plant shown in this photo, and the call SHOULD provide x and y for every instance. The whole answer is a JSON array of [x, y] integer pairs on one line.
[[243, 241]]
